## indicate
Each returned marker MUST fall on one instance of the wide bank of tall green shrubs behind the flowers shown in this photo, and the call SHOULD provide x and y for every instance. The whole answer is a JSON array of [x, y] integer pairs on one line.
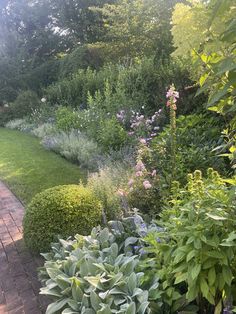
[[133, 86]]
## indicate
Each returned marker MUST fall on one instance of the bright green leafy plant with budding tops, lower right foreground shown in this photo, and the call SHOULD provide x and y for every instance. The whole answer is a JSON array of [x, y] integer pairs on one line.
[[194, 254]]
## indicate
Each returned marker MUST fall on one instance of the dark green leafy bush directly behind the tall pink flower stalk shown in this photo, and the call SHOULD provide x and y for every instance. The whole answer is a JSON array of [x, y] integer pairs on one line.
[[197, 136]]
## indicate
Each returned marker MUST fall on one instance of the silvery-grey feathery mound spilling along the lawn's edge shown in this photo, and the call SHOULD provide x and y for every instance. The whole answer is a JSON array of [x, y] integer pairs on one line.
[[74, 146]]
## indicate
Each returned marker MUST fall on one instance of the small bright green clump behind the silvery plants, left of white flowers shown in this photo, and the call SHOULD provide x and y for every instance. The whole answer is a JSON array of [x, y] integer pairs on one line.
[[66, 119]]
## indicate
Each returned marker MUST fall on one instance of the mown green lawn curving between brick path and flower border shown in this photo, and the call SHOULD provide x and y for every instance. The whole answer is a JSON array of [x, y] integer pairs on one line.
[[27, 168]]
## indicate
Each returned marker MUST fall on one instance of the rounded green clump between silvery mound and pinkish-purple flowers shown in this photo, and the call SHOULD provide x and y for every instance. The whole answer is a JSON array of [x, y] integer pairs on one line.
[[111, 134]]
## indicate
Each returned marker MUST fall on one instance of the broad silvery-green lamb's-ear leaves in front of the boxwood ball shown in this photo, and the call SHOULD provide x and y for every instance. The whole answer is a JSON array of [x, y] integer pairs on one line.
[[98, 273]]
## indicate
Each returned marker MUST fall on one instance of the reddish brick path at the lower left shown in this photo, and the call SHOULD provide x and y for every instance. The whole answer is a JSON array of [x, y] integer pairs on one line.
[[19, 286]]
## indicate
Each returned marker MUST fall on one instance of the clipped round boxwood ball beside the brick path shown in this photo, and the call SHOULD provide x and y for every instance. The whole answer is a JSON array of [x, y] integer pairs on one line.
[[63, 210]]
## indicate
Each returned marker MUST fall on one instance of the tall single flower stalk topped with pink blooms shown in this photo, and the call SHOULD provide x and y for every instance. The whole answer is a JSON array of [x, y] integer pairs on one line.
[[172, 95]]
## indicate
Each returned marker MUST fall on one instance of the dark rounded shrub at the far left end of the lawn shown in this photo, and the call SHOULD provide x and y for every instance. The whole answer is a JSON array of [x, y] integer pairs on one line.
[[25, 103]]
